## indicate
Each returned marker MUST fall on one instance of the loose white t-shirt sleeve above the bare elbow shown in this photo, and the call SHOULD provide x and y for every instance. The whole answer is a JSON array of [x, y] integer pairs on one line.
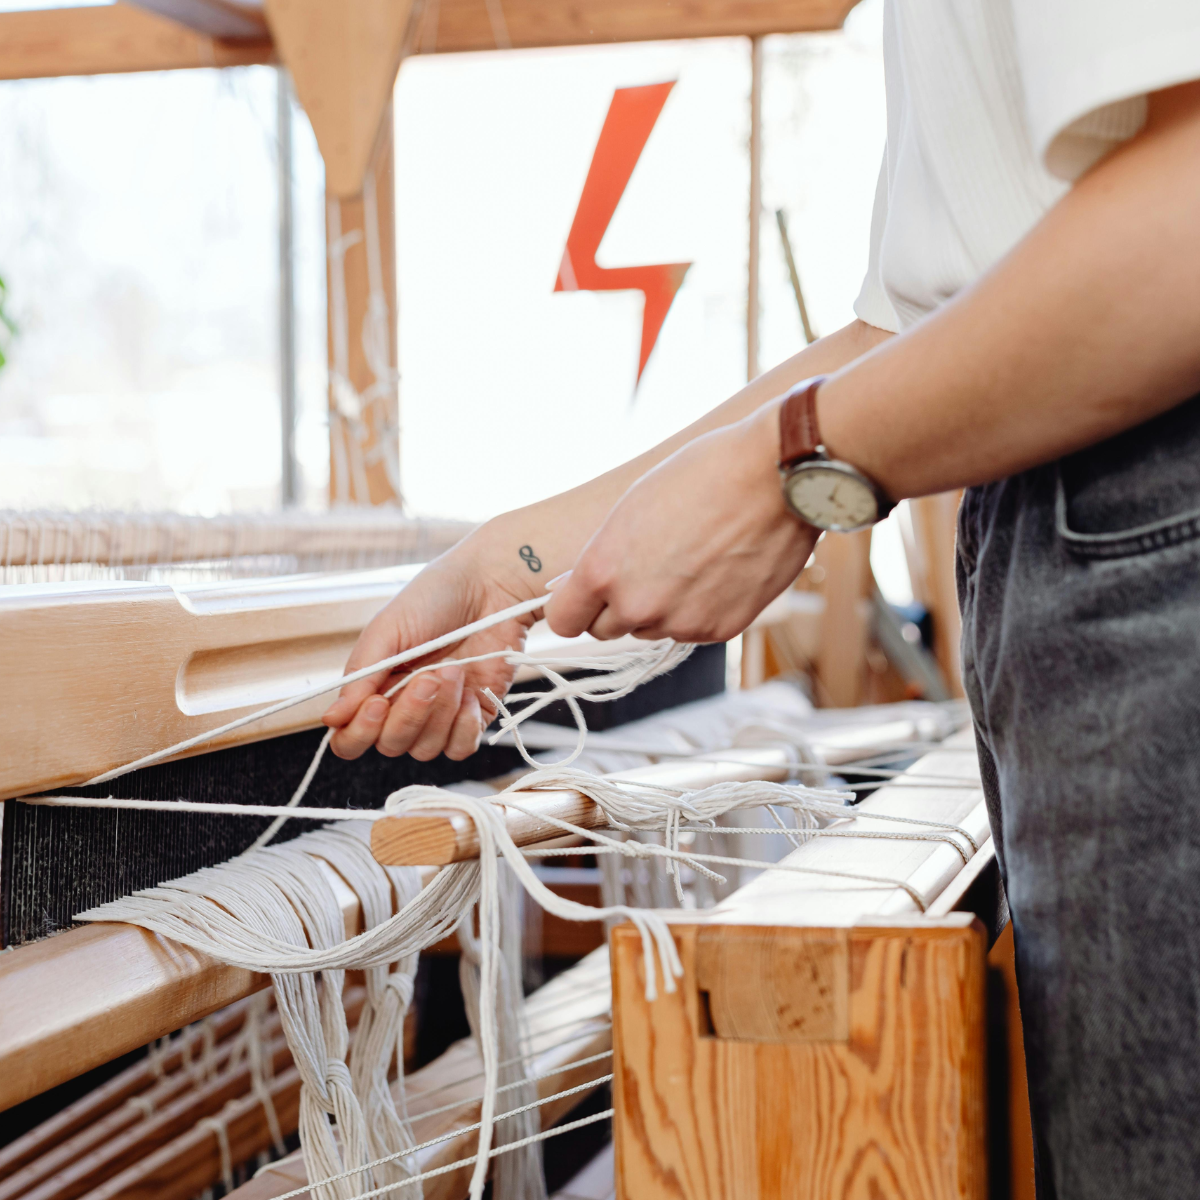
[[1088, 67]]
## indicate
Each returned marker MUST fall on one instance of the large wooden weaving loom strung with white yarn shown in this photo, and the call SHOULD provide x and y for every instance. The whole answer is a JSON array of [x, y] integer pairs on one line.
[[133, 634]]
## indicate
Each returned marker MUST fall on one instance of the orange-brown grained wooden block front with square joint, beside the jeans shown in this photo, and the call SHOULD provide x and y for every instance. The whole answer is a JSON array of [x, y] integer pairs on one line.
[[895, 1111]]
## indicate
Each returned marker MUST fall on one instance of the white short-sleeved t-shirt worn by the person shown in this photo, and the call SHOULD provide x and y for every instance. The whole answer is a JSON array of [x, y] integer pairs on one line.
[[995, 107]]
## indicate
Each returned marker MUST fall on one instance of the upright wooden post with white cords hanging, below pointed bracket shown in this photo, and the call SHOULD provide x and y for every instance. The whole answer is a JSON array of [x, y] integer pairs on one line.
[[364, 394]]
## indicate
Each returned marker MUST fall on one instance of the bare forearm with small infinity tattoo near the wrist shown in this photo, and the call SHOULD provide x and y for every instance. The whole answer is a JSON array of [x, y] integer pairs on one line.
[[557, 530]]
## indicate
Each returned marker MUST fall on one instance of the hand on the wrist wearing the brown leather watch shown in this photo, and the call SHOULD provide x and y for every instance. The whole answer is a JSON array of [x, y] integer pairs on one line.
[[697, 549]]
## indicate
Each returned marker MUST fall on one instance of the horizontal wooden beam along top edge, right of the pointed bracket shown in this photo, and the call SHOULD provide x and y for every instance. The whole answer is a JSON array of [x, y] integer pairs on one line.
[[454, 26]]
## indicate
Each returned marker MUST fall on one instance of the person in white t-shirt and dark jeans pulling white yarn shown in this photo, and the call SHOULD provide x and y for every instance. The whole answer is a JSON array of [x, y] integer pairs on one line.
[[1029, 329]]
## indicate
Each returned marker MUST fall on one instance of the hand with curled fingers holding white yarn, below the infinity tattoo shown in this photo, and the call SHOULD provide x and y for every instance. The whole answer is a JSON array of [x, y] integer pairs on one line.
[[442, 711]]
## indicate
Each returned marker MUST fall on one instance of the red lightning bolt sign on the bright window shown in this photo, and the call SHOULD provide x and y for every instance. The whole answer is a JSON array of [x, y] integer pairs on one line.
[[627, 129]]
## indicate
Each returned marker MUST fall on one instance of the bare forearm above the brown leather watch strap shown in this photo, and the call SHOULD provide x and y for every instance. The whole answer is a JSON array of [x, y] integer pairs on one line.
[[1089, 327]]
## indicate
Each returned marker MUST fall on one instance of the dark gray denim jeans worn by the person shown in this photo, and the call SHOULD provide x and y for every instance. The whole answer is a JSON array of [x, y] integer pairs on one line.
[[1081, 592]]
